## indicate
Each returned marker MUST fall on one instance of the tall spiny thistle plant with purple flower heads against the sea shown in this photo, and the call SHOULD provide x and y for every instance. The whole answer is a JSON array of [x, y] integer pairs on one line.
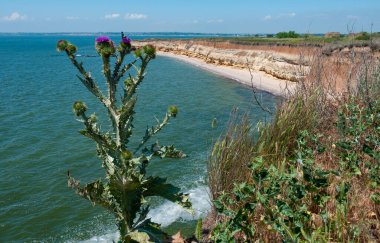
[[125, 187]]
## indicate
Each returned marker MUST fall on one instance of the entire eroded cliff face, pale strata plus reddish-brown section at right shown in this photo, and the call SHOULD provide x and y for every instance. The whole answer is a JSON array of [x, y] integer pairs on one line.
[[334, 68]]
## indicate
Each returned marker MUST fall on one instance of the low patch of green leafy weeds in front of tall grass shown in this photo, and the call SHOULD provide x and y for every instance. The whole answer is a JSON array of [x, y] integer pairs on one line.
[[281, 196]]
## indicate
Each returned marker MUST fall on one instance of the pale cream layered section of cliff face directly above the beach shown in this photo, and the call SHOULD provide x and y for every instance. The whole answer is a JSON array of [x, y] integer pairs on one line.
[[280, 63]]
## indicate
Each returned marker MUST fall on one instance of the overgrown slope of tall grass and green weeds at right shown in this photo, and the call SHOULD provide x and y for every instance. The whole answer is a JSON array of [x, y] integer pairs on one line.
[[311, 175]]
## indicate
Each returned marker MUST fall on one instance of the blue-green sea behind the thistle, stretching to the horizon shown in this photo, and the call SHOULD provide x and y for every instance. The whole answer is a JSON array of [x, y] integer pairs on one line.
[[40, 143]]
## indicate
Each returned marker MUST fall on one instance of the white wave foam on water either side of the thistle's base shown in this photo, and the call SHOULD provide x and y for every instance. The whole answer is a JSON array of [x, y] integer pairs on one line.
[[168, 213]]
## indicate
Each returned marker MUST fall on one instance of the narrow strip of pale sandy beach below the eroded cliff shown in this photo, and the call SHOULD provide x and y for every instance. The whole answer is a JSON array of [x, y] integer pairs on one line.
[[258, 80]]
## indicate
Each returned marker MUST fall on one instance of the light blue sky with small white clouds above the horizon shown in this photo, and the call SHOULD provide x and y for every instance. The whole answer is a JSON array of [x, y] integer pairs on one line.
[[201, 16]]
